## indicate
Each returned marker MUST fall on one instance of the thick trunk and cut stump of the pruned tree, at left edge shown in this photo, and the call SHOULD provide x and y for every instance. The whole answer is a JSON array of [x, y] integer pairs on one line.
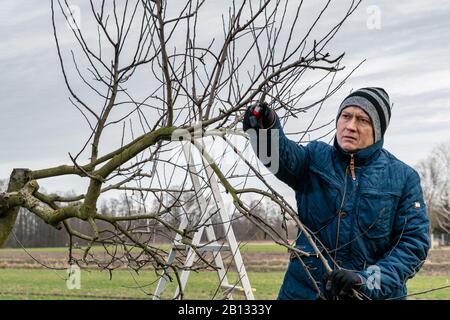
[[8, 215]]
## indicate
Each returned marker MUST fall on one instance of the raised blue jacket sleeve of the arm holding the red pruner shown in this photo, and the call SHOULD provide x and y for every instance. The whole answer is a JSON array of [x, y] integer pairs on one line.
[[288, 160]]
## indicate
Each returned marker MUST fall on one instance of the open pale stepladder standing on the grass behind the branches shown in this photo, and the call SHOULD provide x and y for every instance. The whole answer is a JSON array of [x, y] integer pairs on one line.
[[216, 247]]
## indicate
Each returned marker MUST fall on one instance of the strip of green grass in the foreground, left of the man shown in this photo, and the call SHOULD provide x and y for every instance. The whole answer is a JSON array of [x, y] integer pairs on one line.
[[50, 284]]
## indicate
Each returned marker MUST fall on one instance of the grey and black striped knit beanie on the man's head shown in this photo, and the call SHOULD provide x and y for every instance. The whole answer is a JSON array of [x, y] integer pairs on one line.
[[375, 102]]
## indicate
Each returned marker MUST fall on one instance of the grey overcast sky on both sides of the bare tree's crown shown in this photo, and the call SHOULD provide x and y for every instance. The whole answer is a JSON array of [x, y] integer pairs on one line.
[[409, 55]]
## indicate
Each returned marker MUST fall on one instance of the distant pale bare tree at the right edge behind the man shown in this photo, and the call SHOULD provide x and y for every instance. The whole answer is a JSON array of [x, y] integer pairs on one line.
[[435, 177]]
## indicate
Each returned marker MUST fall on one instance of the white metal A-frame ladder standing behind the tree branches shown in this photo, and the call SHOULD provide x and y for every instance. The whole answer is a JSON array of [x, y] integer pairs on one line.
[[213, 245]]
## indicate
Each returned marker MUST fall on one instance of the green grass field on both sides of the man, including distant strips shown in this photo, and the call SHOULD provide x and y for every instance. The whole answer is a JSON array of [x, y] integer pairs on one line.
[[40, 283]]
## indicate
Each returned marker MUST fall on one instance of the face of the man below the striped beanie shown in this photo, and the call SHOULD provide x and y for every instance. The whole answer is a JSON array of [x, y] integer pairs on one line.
[[354, 129]]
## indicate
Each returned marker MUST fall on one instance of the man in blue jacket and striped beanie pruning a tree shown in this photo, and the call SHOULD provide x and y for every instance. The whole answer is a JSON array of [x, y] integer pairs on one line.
[[364, 205]]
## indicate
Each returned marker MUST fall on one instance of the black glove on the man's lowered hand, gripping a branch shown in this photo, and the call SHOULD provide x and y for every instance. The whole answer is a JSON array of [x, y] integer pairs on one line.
[[341, 282]]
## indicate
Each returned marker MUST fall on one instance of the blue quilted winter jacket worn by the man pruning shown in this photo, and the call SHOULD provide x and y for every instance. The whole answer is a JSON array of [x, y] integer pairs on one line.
[[381, 216]]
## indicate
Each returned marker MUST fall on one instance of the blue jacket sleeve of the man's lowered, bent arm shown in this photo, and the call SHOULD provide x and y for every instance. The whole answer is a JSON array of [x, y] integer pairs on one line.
[[411, 244]]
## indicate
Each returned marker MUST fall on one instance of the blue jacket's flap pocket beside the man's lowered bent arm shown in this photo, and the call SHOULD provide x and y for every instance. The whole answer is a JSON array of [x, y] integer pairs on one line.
[[375, 214]]
